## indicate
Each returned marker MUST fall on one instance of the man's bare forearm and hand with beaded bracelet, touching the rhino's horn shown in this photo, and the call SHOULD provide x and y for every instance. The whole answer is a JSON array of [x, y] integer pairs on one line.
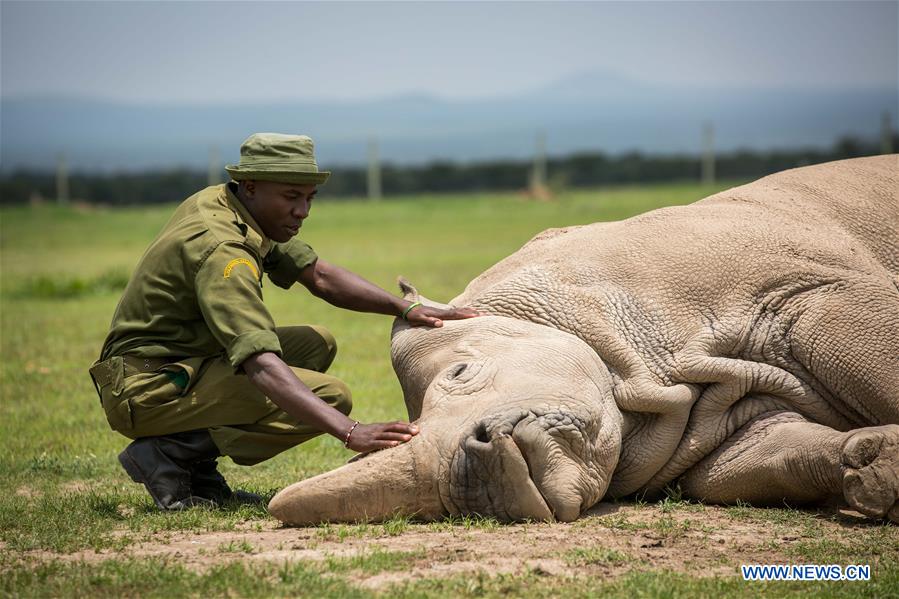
[[279, 383]]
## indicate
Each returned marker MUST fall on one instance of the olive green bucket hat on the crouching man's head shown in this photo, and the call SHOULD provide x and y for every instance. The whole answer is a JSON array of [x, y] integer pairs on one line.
[[278, 157]]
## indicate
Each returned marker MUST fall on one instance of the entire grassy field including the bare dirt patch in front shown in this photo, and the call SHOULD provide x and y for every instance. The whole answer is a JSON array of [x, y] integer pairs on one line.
[[72, 524]]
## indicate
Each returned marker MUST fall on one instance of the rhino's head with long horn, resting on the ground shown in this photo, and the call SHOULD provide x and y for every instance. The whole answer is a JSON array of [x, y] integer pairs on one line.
[[517, 422]]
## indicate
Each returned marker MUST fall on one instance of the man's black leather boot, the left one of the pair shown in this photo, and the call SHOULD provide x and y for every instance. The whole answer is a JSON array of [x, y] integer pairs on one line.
[[163, 466]]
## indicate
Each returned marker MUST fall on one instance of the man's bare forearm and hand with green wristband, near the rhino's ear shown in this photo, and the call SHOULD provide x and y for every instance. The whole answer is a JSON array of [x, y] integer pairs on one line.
[[345, 289]]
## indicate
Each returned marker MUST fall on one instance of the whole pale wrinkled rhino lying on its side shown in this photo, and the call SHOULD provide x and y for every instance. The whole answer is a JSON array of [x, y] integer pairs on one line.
[[745, 347]]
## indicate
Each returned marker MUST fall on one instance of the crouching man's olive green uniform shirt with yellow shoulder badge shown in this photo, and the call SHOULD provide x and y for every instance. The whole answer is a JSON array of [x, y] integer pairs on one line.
[[197, 291]]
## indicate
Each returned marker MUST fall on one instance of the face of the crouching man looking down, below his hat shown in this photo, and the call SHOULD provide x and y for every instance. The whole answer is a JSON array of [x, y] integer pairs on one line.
[[279, 208]]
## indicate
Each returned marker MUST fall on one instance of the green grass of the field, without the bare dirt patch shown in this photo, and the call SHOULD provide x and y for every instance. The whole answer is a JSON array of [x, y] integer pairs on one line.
[[61, 272]]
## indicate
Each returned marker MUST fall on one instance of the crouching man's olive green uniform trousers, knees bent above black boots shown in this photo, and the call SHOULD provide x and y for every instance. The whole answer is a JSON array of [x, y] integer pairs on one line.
[[206, 393]]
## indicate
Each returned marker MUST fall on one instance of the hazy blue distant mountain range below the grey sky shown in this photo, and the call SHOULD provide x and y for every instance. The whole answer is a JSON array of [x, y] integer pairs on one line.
[[587, 112]]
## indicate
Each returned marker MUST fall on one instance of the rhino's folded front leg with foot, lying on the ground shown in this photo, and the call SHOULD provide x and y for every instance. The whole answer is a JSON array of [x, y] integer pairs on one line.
[[781, 457]]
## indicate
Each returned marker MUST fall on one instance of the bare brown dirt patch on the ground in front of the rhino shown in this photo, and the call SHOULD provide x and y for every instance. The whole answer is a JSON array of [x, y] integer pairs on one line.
[[611, 540]]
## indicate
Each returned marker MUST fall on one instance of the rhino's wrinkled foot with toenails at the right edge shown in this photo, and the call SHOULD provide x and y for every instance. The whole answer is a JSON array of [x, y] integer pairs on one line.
[[870, 459]]
